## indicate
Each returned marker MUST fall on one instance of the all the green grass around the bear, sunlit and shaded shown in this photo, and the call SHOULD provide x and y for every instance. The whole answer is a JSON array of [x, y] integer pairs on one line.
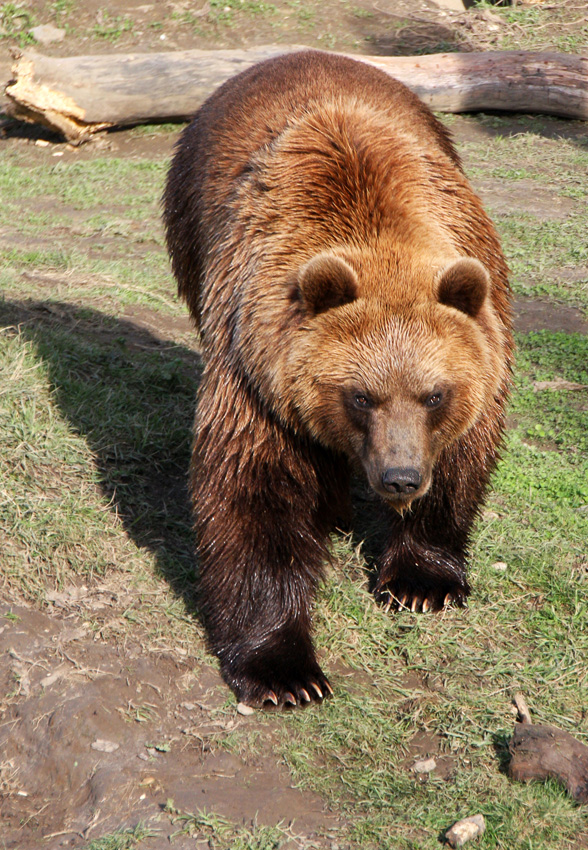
[[95, 417]]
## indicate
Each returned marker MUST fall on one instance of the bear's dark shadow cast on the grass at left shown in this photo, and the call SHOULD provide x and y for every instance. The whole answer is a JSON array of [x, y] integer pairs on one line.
[[131, 395]]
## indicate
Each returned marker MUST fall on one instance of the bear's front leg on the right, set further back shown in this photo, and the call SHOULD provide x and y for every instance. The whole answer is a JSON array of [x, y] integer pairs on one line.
[[423, 566]]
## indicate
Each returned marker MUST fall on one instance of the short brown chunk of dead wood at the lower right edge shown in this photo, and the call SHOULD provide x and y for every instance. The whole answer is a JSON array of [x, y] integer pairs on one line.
[[539, 752]]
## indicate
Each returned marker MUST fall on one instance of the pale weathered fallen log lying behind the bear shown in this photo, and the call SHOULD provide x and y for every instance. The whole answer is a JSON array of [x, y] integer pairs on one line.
[[81, 95]]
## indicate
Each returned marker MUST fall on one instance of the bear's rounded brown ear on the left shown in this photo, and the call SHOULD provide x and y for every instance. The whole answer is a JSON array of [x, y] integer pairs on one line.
[[326, 282]]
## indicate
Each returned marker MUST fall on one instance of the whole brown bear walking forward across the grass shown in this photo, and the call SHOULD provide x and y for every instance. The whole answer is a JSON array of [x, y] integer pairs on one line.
[[353, 306]]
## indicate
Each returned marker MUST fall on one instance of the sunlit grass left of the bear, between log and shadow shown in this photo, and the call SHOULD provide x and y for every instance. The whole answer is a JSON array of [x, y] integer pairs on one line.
[[99, 220]]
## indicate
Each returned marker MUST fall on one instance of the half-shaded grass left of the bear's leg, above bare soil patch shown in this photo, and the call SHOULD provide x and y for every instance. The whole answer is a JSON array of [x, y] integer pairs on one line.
[[84, 423]]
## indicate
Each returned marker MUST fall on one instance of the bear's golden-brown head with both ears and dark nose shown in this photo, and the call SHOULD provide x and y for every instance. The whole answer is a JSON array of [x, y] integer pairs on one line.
[[391, 375]]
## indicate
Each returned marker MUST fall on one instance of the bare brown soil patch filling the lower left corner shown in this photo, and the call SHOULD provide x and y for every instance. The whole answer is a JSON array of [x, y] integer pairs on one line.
[[98, 736]]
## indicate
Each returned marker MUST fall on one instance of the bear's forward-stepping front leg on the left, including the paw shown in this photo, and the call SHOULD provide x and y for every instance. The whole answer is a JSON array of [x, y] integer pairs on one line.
[[262, 521]]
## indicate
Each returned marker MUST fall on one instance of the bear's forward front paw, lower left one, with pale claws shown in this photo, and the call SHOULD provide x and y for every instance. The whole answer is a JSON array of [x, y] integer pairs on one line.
[[265, 681]]
